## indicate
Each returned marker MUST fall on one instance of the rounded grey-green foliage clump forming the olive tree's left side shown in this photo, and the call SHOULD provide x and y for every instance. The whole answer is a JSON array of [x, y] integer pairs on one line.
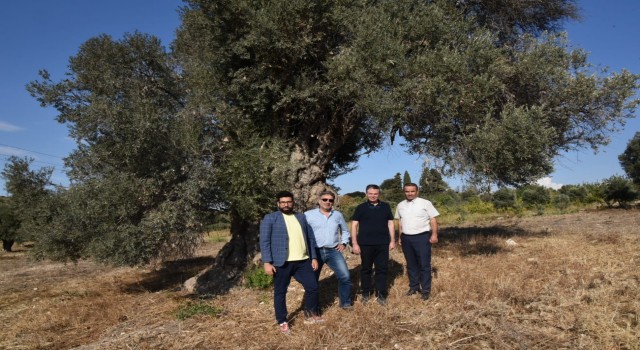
[[143, 176]]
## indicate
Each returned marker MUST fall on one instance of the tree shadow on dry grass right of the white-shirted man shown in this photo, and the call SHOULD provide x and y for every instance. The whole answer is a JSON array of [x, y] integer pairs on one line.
[[477, 240]]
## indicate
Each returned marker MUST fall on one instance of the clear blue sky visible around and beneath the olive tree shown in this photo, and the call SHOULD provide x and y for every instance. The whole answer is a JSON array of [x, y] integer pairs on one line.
[[43, 34]]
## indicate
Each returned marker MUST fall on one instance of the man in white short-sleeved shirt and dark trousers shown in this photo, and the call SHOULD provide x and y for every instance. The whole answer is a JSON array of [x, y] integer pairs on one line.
[[418, 231]]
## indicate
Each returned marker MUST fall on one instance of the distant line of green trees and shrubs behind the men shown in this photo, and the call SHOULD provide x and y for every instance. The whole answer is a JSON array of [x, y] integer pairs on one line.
[[616, 191]]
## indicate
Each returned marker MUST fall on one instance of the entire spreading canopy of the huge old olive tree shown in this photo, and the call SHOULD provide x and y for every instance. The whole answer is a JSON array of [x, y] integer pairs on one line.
[[258, 96]]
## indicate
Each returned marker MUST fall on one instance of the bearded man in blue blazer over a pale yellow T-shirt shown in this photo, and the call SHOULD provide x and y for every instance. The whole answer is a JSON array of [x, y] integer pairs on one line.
[[287, 244]]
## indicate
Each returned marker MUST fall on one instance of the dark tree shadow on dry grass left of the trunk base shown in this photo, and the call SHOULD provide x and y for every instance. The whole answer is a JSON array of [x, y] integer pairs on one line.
[[170, 275]]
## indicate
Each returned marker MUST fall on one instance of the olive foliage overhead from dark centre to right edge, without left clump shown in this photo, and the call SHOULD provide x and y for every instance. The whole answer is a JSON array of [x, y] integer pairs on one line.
[[370, 67]]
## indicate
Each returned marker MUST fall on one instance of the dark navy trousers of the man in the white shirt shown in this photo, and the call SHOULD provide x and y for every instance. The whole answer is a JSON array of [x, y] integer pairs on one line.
[[417, 253]]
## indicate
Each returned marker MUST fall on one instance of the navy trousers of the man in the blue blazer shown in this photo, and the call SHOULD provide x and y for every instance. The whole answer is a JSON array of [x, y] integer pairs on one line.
[[303, 273]]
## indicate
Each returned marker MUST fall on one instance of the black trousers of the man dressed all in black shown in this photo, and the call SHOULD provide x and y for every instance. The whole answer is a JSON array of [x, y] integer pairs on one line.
[[375, 260]]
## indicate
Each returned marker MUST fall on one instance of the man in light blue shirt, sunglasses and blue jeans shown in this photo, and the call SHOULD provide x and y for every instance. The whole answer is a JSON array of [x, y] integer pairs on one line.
[[326, 223]]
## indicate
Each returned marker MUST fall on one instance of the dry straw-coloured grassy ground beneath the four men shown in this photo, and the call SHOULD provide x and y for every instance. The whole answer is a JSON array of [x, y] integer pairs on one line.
[[571, 282]]
